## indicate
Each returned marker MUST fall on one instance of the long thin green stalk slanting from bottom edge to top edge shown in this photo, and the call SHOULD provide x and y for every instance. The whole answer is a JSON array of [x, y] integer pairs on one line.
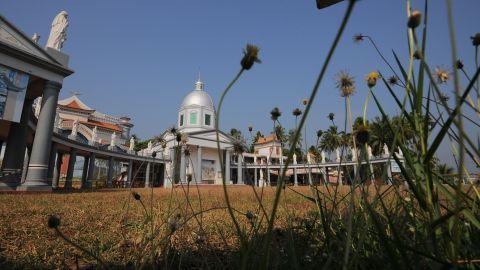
[[266, 247]]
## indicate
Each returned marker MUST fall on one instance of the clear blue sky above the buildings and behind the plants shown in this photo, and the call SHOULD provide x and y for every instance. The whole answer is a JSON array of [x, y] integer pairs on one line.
[[140, 58]]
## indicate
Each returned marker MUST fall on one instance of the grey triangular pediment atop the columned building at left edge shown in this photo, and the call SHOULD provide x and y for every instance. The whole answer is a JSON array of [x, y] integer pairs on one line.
[[15, 38]]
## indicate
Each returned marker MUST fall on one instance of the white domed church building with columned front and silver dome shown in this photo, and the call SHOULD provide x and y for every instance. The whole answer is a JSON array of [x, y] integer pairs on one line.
[[196, 159]]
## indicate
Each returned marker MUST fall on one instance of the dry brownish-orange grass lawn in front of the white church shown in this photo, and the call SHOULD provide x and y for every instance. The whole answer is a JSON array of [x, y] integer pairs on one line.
[[112, 224]]
